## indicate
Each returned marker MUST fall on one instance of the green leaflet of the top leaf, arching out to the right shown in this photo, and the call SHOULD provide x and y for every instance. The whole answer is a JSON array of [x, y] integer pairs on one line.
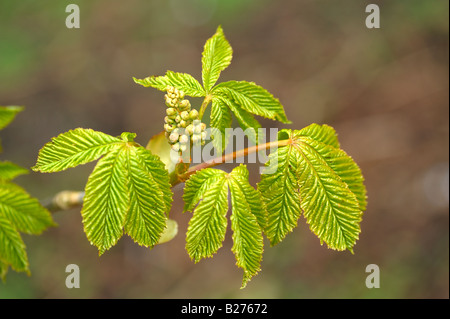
[[253, 99]]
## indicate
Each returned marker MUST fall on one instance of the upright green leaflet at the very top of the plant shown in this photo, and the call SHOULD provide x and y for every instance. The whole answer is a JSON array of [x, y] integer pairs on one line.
[[216, 57]]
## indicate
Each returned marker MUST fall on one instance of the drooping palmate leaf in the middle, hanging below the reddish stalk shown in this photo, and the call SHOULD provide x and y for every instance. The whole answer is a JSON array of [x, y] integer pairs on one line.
[[208, 189]]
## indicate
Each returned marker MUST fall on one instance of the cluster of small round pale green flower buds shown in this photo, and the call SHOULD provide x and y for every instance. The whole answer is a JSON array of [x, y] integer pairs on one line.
[[181, 123]]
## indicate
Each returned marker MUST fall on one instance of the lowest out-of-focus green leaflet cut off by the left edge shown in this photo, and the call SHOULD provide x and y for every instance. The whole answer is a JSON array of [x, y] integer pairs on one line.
[[12, 248]]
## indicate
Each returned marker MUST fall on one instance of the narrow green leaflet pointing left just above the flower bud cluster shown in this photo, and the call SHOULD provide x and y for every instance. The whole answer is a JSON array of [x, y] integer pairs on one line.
[[182, 81]]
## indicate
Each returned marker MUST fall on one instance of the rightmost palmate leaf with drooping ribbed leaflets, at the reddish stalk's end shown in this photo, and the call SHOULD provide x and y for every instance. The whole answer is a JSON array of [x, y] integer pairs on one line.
[[313, 175]]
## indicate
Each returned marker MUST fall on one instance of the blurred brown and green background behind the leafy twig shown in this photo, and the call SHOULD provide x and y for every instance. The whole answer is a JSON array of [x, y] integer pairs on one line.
[[384, 90]]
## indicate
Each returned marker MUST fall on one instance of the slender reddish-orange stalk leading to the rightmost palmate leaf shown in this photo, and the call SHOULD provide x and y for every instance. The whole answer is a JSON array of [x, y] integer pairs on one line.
[[228, 157]]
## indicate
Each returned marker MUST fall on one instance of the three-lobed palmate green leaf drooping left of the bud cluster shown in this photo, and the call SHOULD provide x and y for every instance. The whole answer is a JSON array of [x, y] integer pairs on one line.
[[128, 190]]
